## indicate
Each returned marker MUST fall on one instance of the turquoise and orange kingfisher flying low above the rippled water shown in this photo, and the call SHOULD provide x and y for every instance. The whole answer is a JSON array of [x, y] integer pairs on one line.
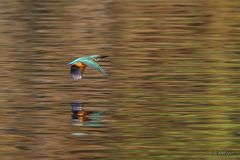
[[78, 65]]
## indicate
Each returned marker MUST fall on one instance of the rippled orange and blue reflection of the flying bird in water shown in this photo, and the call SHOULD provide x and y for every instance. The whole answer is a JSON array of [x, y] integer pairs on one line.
[[81, 117]]
